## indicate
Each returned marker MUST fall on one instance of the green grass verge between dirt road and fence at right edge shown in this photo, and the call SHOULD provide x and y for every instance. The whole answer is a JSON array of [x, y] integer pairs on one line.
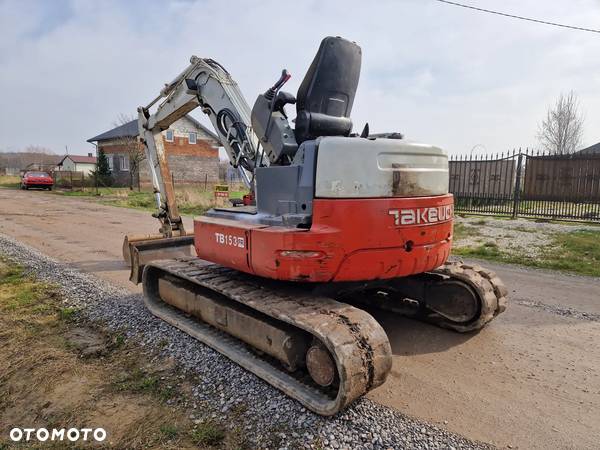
[[575, 252]]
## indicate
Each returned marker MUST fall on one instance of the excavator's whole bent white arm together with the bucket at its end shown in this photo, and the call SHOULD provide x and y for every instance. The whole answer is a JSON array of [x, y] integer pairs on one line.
[[206, 84]]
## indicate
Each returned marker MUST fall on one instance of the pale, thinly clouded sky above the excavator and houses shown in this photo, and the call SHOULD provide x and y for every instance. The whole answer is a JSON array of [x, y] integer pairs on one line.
[[439, 74]]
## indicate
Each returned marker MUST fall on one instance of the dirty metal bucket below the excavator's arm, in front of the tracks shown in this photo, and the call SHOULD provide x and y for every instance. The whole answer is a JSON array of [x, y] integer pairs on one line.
[[141, 250]]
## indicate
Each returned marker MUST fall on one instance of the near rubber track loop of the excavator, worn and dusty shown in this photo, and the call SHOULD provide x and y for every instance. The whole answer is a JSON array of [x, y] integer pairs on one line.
[[357, 342]]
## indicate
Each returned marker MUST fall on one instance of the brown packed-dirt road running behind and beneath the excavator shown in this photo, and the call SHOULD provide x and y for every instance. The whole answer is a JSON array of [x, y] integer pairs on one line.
[[530, 380]]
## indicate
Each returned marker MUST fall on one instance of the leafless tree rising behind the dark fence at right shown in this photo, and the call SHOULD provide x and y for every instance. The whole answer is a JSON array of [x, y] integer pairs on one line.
[[561, 132]]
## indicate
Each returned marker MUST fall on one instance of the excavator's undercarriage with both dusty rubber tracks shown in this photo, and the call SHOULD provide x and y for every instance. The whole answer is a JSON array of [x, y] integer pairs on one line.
[[312, 342]]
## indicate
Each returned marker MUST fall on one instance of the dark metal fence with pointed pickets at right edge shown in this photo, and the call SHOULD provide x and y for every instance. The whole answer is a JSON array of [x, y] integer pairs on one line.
[[529, 184]]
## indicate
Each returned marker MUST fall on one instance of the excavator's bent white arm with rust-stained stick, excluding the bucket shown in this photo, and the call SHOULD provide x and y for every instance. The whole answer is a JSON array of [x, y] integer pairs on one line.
[[205, 84]]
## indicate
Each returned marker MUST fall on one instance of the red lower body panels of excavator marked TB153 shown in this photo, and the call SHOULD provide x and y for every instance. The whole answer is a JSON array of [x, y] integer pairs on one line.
[[349, 240]]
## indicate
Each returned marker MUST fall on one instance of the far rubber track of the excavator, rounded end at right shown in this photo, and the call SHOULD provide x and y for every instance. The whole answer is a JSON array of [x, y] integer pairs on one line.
[[489, 288]]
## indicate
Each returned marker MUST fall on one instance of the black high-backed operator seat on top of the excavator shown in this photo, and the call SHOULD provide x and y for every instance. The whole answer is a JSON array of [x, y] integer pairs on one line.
[[325, 97]]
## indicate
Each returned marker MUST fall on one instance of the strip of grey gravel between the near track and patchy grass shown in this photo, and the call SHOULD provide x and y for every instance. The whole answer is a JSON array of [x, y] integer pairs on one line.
[[269, 419]]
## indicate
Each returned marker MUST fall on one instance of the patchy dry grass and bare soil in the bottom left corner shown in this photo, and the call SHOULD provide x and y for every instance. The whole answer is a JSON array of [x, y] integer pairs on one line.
[[40, 365]]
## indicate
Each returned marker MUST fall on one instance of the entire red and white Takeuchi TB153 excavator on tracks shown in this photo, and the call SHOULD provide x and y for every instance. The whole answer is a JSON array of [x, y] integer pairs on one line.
[[334, 223]]
